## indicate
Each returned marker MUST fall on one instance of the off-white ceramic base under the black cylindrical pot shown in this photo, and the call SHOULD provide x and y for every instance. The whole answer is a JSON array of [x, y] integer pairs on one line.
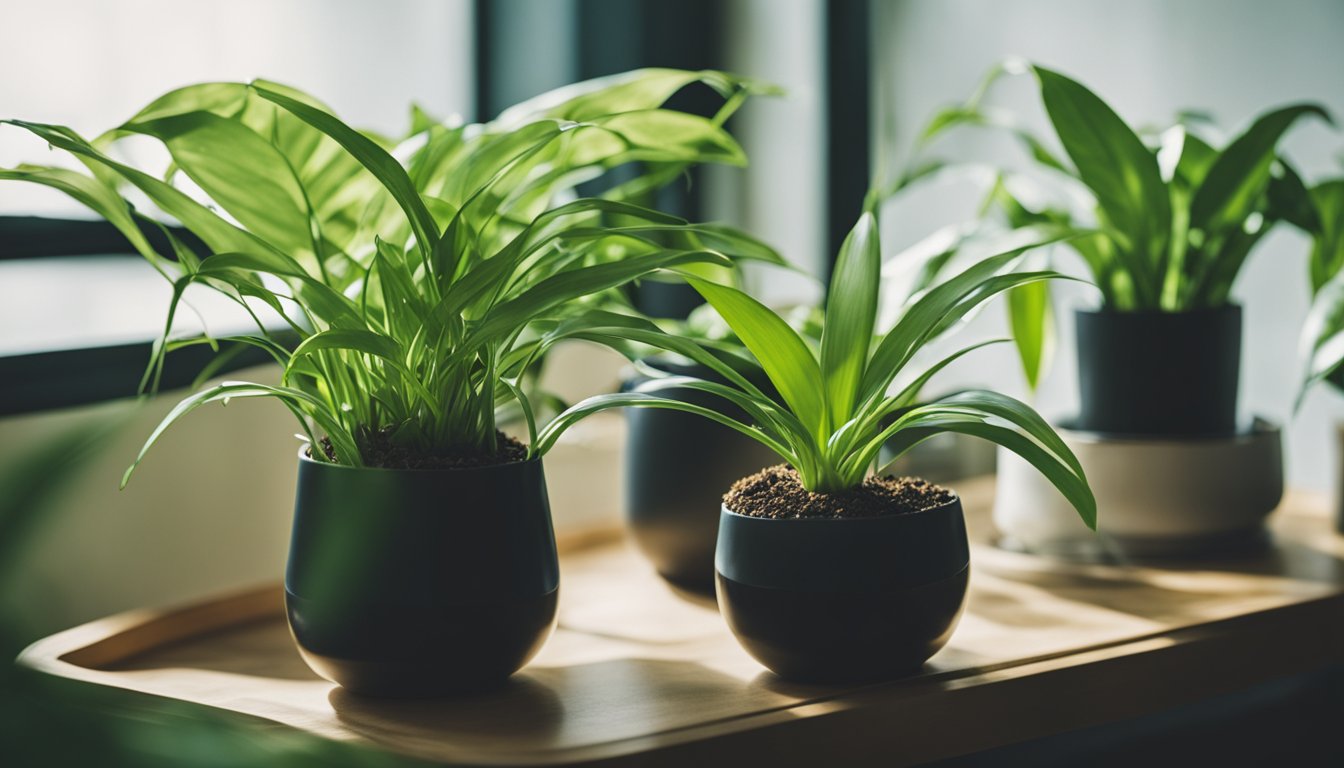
[[1154, 497]]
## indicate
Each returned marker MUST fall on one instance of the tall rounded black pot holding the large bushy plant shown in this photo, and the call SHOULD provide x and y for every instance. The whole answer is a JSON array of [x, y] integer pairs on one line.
[[419, 583]]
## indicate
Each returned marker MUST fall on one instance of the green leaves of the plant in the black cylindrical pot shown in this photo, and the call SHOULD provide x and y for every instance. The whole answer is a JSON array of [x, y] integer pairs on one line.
[[1173, 221]]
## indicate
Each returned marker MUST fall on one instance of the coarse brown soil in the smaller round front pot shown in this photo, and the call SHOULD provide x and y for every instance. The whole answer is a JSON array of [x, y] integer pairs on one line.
[[776, 493]]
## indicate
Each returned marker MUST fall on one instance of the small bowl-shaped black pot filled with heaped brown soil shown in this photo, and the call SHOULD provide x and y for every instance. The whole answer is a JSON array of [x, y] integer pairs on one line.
[[843, 599]]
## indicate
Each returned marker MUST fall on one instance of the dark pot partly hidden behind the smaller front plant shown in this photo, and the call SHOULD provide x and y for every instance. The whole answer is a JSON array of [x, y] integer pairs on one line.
[[678, 466]]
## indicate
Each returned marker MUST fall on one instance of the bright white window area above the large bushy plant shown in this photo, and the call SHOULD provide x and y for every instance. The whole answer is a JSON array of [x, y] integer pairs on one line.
[[92, 64]]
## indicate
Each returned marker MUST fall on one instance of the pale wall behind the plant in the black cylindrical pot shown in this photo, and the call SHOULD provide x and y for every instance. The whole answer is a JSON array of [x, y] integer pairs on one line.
[[1147, 59]]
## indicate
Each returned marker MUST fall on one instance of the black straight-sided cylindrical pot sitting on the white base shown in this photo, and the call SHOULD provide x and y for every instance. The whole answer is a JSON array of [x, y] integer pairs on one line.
[[1159, 373]]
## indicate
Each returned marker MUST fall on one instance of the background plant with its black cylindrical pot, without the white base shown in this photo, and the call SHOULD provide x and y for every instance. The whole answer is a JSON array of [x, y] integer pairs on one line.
[[1174, 224]]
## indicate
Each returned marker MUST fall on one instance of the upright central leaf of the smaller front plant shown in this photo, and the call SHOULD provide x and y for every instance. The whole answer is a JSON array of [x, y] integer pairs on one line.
[[851, 313]]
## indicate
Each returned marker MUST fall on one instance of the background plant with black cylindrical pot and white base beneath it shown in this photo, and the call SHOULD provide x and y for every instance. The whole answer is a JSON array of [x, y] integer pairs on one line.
[[1171, 225]]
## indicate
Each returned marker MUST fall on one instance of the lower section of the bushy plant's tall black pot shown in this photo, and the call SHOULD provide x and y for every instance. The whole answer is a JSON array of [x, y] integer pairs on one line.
[[450, 650]]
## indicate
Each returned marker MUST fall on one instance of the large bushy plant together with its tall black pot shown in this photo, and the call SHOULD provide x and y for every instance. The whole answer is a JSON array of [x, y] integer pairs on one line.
[[413, 278]]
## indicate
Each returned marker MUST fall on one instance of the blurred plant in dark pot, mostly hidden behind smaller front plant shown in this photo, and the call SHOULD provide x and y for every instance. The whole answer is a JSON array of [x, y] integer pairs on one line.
[[678, 466]]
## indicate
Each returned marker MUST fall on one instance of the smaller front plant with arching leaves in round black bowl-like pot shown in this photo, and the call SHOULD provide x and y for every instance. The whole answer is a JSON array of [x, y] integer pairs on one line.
[[825, 571]]
